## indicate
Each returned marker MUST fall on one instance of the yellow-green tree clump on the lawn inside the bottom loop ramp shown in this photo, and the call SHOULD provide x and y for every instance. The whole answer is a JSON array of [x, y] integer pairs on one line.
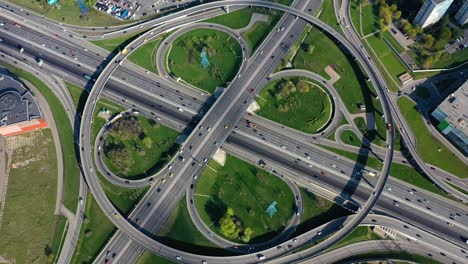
[[231, 227]]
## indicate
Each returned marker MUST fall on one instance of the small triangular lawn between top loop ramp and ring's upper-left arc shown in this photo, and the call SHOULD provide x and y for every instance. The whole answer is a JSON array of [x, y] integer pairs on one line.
[[145, 56]]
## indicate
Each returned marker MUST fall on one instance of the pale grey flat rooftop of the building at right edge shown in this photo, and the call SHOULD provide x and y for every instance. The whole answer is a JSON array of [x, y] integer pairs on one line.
[[455, 106]]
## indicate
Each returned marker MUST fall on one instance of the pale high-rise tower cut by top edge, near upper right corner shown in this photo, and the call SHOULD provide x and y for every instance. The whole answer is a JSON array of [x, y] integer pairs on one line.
[[431, 12]]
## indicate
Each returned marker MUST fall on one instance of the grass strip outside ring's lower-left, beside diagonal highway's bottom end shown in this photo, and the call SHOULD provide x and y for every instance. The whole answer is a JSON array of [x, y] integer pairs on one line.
[[98, 229]]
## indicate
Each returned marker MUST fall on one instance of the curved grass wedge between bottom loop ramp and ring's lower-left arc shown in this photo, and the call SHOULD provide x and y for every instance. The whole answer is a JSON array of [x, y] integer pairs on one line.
[[180, 232]]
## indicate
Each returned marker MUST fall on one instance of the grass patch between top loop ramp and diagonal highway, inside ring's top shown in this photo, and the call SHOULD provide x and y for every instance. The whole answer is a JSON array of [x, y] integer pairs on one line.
[[255, 35]]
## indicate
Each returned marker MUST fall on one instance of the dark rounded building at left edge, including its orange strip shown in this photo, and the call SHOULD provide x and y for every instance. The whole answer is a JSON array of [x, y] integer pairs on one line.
[[19, 111]]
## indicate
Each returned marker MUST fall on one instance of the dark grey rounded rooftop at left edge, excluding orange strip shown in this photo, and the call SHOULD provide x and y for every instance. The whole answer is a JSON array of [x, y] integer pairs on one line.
[[16, 102]]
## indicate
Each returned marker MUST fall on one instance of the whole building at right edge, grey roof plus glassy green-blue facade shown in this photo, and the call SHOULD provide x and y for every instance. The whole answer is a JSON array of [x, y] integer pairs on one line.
[[452, 114]]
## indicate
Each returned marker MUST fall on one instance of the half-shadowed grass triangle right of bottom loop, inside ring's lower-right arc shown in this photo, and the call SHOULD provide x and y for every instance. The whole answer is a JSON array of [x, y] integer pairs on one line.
[[317, 211]]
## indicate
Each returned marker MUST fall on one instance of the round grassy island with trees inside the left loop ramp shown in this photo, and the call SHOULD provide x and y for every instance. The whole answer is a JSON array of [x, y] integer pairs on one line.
[[135, 147]]
